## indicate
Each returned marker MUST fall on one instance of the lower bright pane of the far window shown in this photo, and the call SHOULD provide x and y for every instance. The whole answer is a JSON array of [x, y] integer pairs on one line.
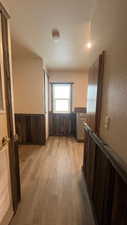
[[62, 106]]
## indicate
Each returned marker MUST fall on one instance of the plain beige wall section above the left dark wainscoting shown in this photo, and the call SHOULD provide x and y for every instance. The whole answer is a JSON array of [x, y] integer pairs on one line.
[[28, 85]]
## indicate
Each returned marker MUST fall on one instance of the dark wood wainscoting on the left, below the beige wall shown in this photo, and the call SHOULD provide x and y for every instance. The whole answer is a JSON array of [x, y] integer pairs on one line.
[[30, 128]]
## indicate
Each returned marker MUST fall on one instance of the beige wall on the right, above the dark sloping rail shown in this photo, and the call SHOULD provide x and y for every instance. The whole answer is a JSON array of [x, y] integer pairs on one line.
[[109, 33]]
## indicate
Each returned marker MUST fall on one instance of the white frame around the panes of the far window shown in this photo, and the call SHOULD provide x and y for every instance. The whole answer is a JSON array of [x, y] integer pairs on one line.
[[68, 99]]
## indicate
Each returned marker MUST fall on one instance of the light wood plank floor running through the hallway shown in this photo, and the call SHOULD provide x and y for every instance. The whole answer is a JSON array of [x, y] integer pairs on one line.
[[53, 188]]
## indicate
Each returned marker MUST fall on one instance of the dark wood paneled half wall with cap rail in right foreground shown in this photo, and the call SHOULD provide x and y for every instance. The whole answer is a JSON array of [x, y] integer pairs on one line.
[[106, 178]]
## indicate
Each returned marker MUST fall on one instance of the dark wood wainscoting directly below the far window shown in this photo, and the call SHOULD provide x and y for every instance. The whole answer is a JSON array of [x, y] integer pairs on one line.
[[62, 124]]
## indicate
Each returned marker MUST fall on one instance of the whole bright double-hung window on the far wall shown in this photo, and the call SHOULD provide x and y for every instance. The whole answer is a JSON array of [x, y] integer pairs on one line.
[[62, 98]]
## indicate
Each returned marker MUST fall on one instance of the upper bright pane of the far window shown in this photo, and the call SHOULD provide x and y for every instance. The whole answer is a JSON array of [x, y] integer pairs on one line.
[[61, 90]]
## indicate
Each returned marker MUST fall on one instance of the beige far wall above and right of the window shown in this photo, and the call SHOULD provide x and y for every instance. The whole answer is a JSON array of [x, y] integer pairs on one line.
[[80, 80]]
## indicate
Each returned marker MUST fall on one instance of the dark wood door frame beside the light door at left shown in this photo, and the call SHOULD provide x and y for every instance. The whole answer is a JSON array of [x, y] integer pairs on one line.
[[13, 144]]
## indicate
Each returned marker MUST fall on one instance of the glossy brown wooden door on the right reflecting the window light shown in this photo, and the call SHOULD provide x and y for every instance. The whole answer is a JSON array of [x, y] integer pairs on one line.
[[94, 97]]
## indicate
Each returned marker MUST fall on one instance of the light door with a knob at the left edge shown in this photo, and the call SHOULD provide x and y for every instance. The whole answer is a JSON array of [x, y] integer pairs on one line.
[[6, 203]]
